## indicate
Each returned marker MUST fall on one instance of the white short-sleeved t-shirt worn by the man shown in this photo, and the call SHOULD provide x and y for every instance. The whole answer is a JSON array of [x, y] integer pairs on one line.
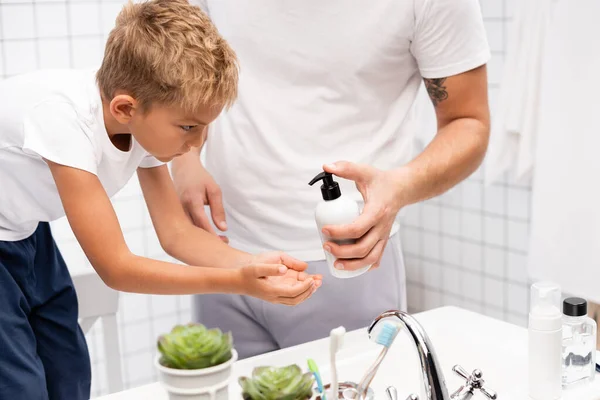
[[323, 81]]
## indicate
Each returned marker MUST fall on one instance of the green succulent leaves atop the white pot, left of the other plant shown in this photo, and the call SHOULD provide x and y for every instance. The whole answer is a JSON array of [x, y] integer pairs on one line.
[[193, 346]]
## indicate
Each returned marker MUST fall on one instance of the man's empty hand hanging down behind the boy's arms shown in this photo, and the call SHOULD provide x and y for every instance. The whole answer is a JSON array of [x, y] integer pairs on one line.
[[197, 188]]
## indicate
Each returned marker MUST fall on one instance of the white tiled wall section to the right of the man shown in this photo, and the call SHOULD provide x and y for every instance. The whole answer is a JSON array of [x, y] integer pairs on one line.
[[469, 247]]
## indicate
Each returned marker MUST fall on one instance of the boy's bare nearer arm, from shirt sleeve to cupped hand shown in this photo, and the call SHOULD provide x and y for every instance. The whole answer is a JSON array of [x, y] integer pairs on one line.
[[95, 225]]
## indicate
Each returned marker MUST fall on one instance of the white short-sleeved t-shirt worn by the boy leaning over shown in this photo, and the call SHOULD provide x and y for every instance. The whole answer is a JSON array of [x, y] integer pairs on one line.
[[56, 115]]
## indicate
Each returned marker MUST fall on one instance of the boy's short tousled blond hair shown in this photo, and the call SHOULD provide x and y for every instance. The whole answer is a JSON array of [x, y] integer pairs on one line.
[[168, 52]]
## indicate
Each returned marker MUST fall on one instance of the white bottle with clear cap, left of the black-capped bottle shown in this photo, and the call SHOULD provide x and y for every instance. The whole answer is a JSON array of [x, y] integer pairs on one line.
[[545, 342]]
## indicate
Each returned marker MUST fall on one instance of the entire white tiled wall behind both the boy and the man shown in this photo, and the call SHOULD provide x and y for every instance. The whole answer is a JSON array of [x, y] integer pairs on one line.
[[466, 248]]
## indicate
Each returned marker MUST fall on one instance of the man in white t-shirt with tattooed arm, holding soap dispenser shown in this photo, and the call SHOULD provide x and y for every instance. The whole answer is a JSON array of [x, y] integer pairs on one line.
[[327, 82]]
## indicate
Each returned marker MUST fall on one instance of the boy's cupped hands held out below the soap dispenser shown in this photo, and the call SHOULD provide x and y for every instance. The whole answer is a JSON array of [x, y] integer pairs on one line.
[[278, 278]]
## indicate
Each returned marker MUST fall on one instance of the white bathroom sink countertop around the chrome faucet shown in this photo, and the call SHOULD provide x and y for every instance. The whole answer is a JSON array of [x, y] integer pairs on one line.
[[459, 336]]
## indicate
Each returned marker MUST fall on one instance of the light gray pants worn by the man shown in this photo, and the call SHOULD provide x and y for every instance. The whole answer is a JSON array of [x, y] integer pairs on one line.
[[259, 327]]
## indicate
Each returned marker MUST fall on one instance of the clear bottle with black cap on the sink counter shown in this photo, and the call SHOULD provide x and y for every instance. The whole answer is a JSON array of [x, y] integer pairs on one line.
[[579, 343]]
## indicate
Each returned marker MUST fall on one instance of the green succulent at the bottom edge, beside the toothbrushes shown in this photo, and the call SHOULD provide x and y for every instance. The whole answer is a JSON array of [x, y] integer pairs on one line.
[[271, 383]]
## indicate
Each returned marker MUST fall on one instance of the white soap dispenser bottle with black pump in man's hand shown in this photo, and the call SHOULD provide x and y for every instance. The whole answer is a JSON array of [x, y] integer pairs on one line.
[[335, 209]]
